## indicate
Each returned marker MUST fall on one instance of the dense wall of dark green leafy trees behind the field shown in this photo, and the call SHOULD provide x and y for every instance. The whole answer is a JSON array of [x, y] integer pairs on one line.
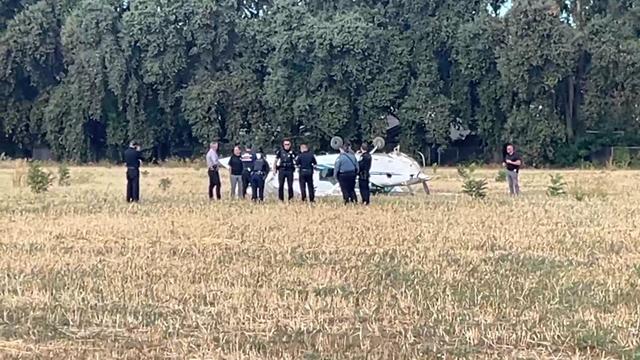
[[85, 76]]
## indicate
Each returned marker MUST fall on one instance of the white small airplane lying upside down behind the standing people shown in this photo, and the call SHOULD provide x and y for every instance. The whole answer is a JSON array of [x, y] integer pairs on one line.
[[391, 173]]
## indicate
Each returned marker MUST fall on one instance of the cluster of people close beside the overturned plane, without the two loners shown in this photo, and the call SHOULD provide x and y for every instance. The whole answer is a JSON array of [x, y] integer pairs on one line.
[[249, 168]]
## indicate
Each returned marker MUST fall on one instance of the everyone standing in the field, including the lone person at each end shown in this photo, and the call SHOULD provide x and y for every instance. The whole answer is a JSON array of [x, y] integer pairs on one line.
[[250, 168]]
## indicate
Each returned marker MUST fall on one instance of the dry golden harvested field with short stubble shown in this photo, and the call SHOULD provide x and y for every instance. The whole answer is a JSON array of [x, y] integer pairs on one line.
[[85, 275]]
